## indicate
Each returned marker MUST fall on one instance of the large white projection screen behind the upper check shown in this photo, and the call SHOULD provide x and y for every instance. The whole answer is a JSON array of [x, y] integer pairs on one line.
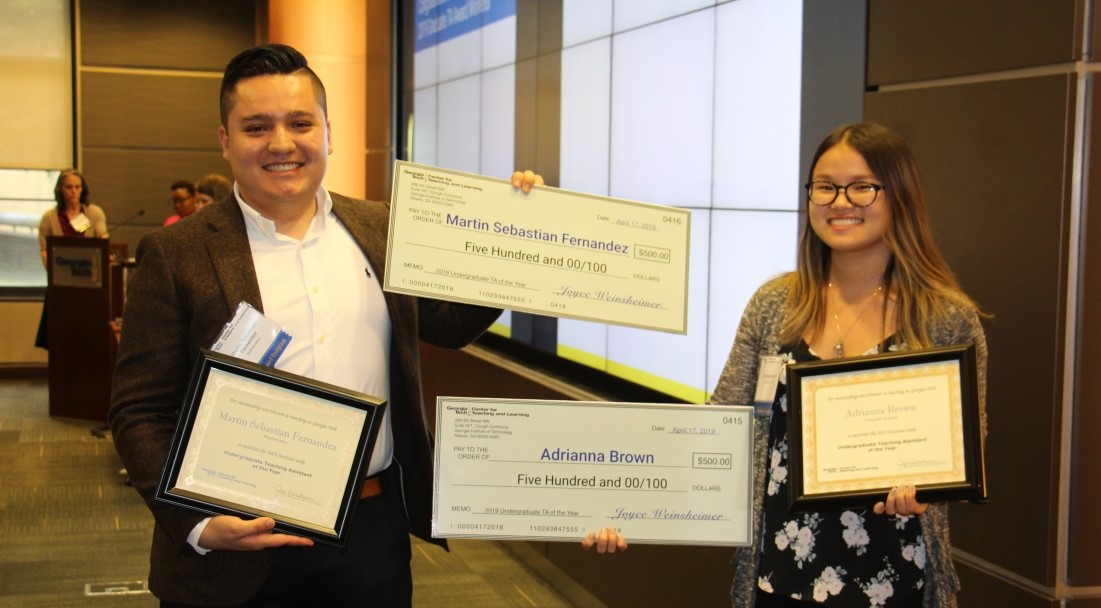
[[686, 103]]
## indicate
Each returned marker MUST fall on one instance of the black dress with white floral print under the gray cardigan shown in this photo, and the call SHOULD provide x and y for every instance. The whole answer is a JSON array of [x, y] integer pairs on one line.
[[847, 559]]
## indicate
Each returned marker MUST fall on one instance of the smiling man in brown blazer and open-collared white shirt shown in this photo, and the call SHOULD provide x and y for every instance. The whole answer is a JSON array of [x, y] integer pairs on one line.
[[190, 280]]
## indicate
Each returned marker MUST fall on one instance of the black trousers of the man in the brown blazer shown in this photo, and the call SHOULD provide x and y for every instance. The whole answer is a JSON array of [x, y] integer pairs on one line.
[[373, 571]]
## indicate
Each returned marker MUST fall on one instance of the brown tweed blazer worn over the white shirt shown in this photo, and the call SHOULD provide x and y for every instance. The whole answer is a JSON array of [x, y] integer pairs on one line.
[[189, 281]]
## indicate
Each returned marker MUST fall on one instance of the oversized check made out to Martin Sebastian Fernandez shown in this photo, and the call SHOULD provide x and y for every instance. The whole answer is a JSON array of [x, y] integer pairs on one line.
[[470, 238]]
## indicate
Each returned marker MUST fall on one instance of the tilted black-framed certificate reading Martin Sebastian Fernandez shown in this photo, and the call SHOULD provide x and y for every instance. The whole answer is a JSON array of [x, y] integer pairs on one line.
[[258, 442]]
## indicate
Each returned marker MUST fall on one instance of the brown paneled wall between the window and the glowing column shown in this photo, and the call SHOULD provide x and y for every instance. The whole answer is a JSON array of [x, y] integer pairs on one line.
[[148, 78]]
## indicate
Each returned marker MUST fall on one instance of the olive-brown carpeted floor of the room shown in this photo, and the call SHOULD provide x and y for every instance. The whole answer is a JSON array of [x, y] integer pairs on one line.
[[72, 534]]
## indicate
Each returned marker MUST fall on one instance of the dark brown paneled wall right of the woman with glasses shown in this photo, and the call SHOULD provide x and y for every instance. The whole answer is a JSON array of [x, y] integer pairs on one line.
[[996, 104]]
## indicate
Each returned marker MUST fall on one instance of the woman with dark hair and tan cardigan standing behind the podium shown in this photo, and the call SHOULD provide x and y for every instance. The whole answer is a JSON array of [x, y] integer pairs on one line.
[[73, 218]]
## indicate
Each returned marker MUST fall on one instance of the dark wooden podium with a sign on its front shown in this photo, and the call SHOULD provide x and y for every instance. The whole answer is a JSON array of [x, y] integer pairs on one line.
[[83, 299]]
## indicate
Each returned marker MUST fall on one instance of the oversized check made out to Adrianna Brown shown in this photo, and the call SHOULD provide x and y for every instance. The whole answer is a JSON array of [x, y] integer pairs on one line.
[[662, 474]]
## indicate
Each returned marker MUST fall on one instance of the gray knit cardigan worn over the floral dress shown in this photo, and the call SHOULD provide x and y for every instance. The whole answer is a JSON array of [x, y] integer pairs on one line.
[[758, 335]]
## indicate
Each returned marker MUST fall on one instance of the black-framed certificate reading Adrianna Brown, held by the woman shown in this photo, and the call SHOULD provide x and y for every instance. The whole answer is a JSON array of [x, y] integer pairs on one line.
[[860, 427]]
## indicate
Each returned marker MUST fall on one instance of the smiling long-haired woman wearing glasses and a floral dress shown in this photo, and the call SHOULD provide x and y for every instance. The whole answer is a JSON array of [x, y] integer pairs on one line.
[[869, 279]]
